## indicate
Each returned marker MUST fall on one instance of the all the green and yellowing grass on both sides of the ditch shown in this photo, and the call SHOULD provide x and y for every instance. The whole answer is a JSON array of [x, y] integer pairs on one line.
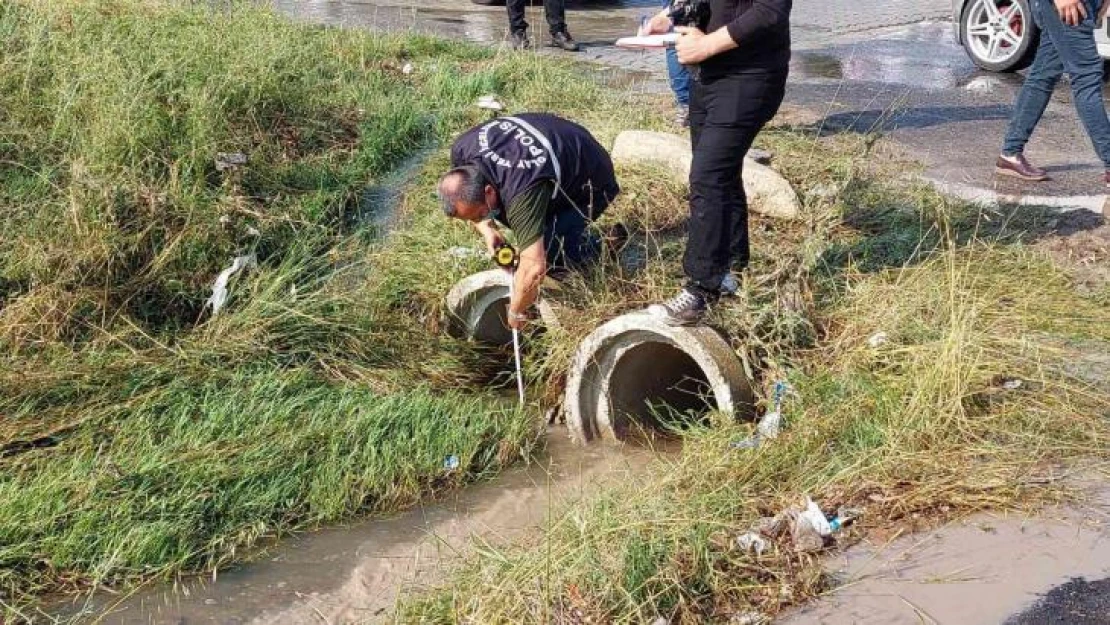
[[142, 439]]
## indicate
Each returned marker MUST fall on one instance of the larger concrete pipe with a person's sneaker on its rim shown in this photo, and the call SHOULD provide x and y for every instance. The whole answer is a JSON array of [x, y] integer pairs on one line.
[[635, 362]]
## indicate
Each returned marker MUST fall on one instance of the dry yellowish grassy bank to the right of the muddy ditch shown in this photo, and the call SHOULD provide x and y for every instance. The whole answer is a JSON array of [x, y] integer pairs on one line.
[[917, 430]]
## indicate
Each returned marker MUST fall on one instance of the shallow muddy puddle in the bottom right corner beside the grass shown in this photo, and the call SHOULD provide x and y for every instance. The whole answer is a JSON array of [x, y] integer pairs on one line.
[[984, 570]]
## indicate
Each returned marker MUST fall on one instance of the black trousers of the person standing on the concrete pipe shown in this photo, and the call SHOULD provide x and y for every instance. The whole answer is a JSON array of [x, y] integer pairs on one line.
[[726, 114]]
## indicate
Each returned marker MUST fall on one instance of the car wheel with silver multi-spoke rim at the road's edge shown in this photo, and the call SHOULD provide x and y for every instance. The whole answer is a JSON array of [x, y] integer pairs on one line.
[[1000, 35]]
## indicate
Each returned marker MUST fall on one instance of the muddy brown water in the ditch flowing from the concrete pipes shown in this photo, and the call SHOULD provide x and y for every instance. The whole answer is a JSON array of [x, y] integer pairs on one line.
[[355, 574]]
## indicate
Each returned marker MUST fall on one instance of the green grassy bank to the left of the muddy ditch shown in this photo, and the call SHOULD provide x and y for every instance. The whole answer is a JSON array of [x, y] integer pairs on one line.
[[140, 437]]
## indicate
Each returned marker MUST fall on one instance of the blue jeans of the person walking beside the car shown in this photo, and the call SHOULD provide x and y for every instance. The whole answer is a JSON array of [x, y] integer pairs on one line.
[[1063, 48]]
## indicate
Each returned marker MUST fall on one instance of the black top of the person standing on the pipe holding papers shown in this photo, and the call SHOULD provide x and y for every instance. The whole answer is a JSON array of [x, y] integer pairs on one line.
[[762, 31]]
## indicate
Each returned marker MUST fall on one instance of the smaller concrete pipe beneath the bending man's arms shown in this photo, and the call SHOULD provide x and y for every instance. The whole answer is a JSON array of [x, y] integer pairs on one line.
[[478, 306]]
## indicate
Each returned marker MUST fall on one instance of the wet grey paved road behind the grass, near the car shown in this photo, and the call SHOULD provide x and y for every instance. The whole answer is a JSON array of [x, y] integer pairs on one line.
[[890, 67]]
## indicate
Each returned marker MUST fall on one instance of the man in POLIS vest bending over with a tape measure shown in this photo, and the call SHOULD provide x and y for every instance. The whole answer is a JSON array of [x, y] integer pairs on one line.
[[544, 178]]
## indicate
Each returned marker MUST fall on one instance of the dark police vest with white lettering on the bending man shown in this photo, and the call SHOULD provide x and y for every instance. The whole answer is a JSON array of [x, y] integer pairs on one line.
[[519, 152]]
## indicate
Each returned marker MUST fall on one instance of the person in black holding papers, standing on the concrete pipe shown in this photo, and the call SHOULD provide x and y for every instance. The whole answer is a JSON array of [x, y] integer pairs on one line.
[[743, 66]]
